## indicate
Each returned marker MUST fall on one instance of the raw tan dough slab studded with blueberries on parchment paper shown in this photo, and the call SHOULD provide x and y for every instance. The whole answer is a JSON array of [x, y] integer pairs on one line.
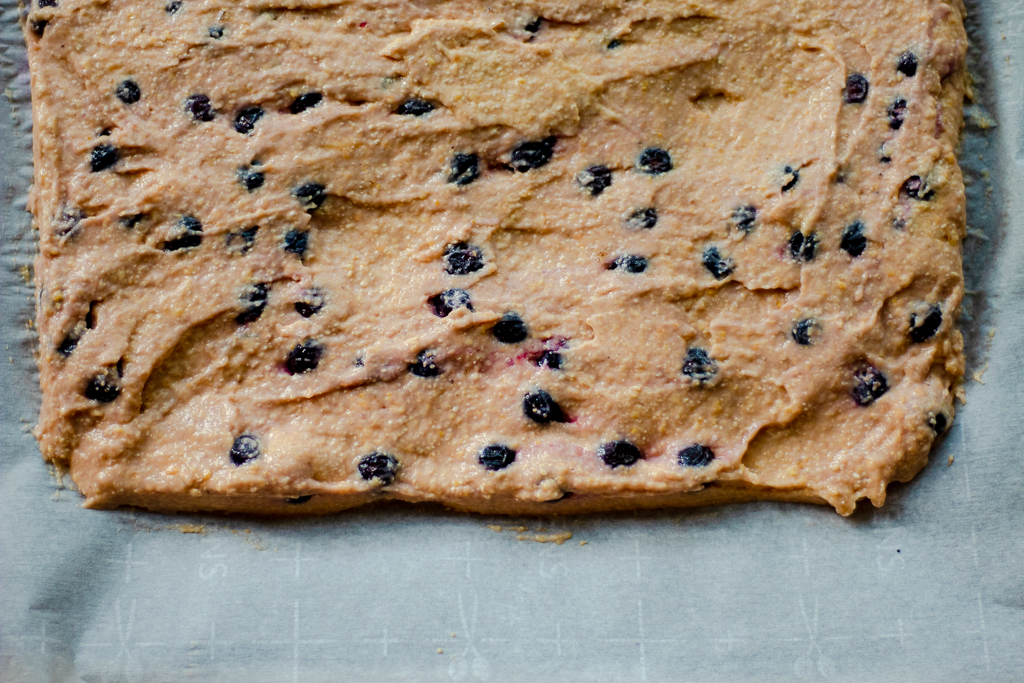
[[519, 257]]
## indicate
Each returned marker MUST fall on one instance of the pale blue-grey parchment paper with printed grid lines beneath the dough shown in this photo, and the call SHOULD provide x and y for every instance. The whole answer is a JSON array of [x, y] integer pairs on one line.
[[930, 588]]
